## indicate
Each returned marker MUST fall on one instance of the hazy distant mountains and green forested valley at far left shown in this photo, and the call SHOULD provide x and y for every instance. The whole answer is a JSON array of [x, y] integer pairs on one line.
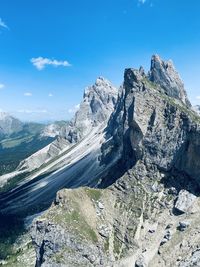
[[19, 140]]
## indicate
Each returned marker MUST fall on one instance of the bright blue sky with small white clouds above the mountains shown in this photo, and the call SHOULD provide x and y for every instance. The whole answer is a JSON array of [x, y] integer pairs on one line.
[[50, 50]]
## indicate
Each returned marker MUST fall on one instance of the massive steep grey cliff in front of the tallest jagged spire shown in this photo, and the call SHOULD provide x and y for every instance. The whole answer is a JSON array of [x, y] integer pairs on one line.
[[154, 127]]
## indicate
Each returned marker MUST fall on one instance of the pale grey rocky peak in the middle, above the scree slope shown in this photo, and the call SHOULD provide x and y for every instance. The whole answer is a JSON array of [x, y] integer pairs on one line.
[[98, 103]]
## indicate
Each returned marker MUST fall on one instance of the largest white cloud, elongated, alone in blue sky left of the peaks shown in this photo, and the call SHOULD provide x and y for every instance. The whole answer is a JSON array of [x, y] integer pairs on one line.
[[40, 63]]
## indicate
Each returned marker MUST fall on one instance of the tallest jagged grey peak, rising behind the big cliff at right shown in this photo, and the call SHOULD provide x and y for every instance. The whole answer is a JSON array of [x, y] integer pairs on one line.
[[164, 73]]
